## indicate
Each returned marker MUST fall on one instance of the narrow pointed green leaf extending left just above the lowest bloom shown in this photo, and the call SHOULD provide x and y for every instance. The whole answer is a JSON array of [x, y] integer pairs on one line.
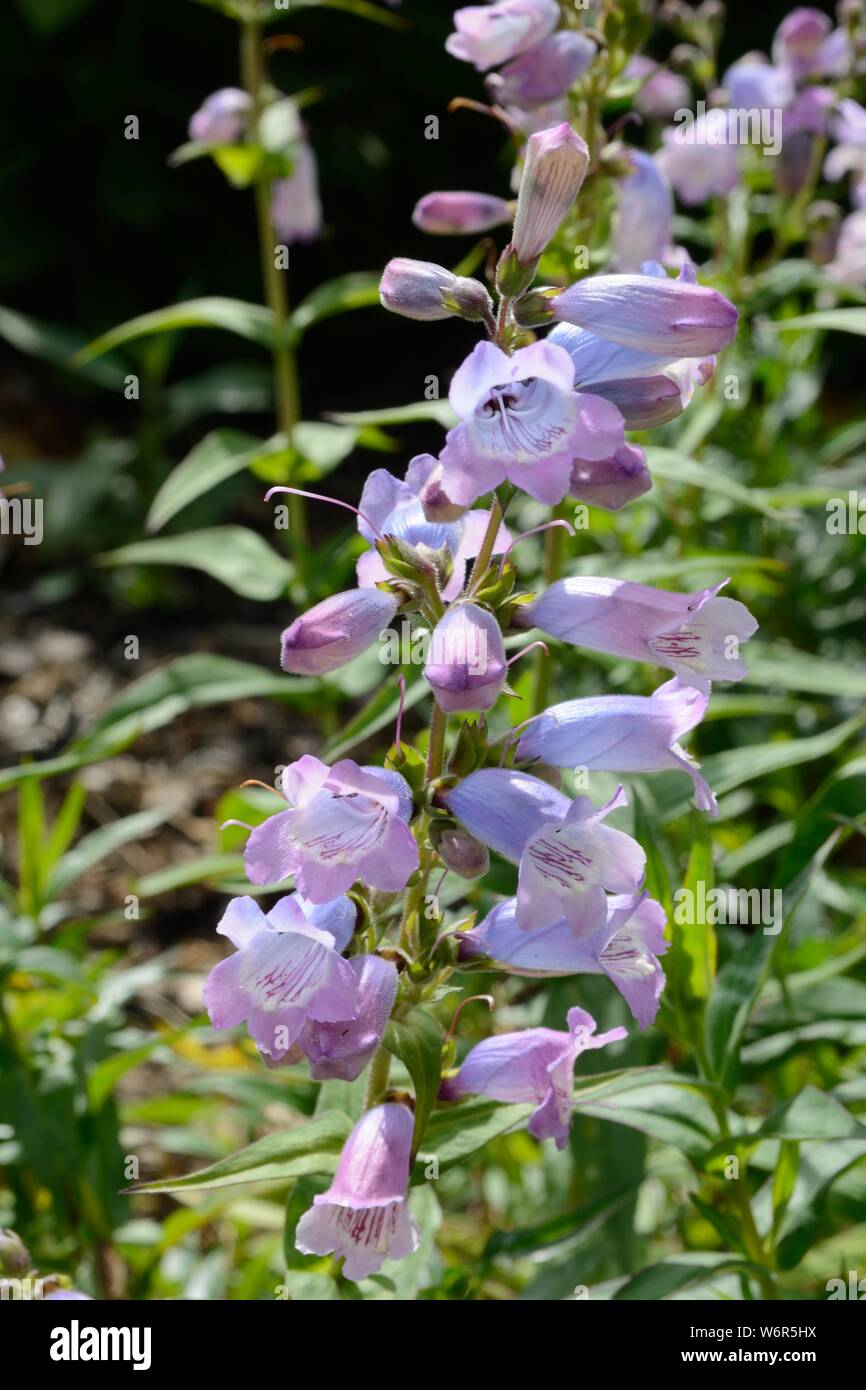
[[311, 1149]]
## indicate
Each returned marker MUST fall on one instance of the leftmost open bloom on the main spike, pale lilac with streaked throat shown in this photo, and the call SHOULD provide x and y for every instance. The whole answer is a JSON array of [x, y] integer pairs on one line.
[[287, 970]]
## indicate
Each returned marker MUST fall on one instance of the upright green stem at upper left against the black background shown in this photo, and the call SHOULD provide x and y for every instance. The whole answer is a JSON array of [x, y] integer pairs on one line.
[[286, 368]]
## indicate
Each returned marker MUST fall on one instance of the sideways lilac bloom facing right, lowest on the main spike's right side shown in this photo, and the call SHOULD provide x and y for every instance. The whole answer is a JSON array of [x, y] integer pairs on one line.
[[534, 1067]]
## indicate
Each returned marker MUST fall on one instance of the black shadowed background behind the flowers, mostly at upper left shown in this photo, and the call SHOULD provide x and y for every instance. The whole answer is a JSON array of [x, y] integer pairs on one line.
[[98, 229]]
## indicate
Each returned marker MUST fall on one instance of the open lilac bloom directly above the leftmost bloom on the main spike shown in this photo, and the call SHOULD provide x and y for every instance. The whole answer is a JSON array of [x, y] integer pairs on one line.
[[344, 824]]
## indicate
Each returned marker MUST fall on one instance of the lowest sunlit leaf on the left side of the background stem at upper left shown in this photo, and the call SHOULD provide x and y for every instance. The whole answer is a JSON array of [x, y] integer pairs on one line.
[[238, 558]]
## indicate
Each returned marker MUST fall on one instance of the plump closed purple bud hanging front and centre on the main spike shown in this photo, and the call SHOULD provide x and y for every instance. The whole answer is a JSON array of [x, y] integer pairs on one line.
[[466, 665]]
